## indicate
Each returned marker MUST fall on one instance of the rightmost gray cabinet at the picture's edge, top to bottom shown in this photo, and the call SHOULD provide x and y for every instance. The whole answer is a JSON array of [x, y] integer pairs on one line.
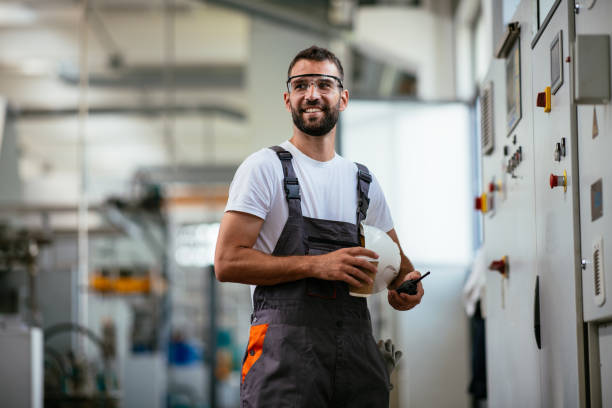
[[594, 125]]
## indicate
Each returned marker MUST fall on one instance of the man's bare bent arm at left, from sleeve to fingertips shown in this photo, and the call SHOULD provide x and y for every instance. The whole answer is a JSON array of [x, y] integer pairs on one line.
[[237, 261]]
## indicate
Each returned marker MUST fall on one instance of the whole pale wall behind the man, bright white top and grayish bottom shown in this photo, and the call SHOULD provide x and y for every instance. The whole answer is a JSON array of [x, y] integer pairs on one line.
[[419, 153]]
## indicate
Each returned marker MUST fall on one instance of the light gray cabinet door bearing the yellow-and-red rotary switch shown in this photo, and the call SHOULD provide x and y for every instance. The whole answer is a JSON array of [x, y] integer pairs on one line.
[[557, 227]]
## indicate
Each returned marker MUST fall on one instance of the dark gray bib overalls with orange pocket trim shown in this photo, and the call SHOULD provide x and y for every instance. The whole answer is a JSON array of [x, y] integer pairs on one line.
[[310, 343]]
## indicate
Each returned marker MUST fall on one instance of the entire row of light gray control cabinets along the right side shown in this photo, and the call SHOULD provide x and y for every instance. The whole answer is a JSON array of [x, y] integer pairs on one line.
[[545, 109]]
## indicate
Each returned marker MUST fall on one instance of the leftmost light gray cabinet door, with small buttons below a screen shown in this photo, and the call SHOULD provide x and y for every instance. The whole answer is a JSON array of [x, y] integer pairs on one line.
[[513, 363]]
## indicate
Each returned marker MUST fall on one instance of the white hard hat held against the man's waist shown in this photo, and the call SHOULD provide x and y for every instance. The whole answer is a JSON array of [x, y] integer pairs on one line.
[[389, 258]]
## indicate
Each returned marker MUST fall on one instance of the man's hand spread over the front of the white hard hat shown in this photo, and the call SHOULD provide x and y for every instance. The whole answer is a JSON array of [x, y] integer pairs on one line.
[[344, 265]]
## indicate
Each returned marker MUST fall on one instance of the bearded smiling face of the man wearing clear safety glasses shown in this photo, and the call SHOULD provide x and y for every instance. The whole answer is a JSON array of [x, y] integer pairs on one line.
[[315, 111]]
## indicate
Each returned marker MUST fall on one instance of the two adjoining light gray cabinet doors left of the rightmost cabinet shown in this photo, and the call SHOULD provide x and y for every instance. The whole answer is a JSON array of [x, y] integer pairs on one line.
[[535, 336]]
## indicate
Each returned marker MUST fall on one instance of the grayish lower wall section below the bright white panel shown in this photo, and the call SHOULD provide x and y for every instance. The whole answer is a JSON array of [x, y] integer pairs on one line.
[[435, 368]]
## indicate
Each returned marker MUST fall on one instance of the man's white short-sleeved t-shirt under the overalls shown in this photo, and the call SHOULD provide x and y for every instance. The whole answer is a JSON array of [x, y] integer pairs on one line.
[[328, 191]]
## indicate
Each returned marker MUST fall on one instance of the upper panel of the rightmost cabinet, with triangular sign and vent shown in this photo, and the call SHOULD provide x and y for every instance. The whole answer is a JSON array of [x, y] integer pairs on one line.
[[594, 124]]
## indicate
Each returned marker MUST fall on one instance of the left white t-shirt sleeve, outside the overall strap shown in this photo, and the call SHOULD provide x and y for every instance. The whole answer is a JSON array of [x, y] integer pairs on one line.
[[253, 186]]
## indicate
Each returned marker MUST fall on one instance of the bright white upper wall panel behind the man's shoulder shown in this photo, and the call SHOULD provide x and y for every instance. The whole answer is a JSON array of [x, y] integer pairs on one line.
[[420, 153]]
